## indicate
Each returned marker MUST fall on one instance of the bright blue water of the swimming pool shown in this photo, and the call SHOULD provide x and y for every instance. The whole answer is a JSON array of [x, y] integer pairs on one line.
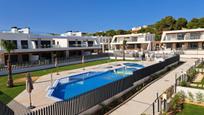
[[81, 83]]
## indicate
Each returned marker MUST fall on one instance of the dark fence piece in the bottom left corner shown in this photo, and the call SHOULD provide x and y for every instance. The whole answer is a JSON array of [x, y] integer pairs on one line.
[[4, 110]]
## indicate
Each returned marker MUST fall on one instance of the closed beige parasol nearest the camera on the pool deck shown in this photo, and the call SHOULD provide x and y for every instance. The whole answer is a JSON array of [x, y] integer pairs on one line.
[[29, 88]]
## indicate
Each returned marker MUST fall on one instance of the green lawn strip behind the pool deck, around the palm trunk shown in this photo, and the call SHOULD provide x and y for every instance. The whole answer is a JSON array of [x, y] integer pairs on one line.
[[7, 94]]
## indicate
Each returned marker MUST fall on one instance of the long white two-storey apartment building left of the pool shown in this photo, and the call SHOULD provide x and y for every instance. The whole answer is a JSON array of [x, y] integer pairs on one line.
[[31, 47]]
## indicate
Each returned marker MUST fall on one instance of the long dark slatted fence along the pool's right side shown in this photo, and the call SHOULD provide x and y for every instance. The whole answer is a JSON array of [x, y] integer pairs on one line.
[[89, 99]]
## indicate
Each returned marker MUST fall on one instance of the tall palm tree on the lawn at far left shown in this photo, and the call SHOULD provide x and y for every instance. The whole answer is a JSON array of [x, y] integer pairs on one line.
[[8, 46]]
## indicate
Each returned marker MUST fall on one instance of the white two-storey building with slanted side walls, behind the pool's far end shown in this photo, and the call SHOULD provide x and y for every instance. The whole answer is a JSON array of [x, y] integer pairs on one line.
[[140, 41]]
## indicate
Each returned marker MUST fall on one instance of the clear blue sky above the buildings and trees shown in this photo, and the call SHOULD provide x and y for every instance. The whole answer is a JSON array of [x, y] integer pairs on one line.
[[58, 16]]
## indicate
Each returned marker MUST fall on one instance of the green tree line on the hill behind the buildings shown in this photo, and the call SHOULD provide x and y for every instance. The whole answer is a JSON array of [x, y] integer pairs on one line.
[[165, 24]]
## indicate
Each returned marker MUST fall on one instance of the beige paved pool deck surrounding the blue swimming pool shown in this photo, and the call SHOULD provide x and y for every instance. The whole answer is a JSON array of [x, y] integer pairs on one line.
[[41, 86]]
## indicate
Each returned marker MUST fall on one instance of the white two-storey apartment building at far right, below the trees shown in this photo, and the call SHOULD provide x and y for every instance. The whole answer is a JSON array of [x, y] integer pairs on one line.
[[189, 39]]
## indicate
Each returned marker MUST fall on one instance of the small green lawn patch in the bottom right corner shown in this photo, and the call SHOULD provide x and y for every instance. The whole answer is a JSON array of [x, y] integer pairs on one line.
[[190, 109]]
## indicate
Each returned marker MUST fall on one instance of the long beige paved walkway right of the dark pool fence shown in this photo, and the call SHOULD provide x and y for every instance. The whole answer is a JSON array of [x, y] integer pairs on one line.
[[144, 99]]
